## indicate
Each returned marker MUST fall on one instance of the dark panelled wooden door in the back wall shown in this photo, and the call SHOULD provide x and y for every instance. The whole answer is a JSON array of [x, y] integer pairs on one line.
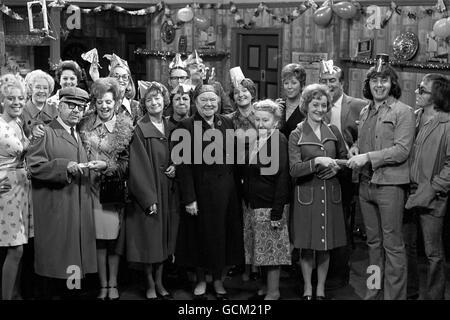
[[259, 58]]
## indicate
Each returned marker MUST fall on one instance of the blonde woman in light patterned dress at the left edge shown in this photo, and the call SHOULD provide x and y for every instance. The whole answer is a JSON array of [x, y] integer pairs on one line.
[[16, 221]]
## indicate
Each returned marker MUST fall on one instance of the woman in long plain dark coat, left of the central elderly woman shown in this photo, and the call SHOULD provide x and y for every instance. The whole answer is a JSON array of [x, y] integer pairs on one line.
[[152, 217]]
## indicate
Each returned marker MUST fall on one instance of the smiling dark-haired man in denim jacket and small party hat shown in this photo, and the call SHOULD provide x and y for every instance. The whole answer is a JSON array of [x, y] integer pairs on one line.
[[385, 137]]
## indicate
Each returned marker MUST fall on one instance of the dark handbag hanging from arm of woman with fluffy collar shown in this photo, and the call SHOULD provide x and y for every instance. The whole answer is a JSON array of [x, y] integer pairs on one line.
[[113, 190]]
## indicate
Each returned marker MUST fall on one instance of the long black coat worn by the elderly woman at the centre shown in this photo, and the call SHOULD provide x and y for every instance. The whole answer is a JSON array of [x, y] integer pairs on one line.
[[214, 238]]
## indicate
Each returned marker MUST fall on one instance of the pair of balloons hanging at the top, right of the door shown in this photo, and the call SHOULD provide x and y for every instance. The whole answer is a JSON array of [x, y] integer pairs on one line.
[[344, 10]]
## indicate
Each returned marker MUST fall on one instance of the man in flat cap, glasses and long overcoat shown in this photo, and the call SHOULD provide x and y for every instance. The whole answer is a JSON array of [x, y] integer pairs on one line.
[[64, 224]]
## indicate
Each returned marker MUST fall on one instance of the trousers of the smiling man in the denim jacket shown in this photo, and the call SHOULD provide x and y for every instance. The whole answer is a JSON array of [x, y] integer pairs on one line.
[[382, 209]]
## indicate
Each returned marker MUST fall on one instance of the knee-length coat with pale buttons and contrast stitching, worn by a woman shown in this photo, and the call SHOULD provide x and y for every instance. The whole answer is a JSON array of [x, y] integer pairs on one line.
[[317, 220]]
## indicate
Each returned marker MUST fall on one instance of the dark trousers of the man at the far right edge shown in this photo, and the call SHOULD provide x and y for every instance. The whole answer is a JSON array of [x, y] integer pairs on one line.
[[431, 227]]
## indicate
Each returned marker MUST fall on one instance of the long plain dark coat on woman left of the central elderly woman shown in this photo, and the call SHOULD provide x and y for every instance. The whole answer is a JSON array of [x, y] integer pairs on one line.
[[150, 238]]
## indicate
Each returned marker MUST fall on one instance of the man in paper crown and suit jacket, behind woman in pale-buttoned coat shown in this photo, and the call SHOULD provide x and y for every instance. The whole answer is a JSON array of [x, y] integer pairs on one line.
[[344, 114]]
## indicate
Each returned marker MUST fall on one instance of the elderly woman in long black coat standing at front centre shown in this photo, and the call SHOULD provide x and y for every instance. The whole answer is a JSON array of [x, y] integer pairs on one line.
[[210, 234]]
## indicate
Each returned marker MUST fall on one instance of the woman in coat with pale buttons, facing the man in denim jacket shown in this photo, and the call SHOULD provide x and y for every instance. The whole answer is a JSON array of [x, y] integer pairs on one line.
[[317, 221]]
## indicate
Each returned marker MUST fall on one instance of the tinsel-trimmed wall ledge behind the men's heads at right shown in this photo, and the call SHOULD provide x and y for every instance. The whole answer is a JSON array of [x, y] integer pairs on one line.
[[404, 66]]
